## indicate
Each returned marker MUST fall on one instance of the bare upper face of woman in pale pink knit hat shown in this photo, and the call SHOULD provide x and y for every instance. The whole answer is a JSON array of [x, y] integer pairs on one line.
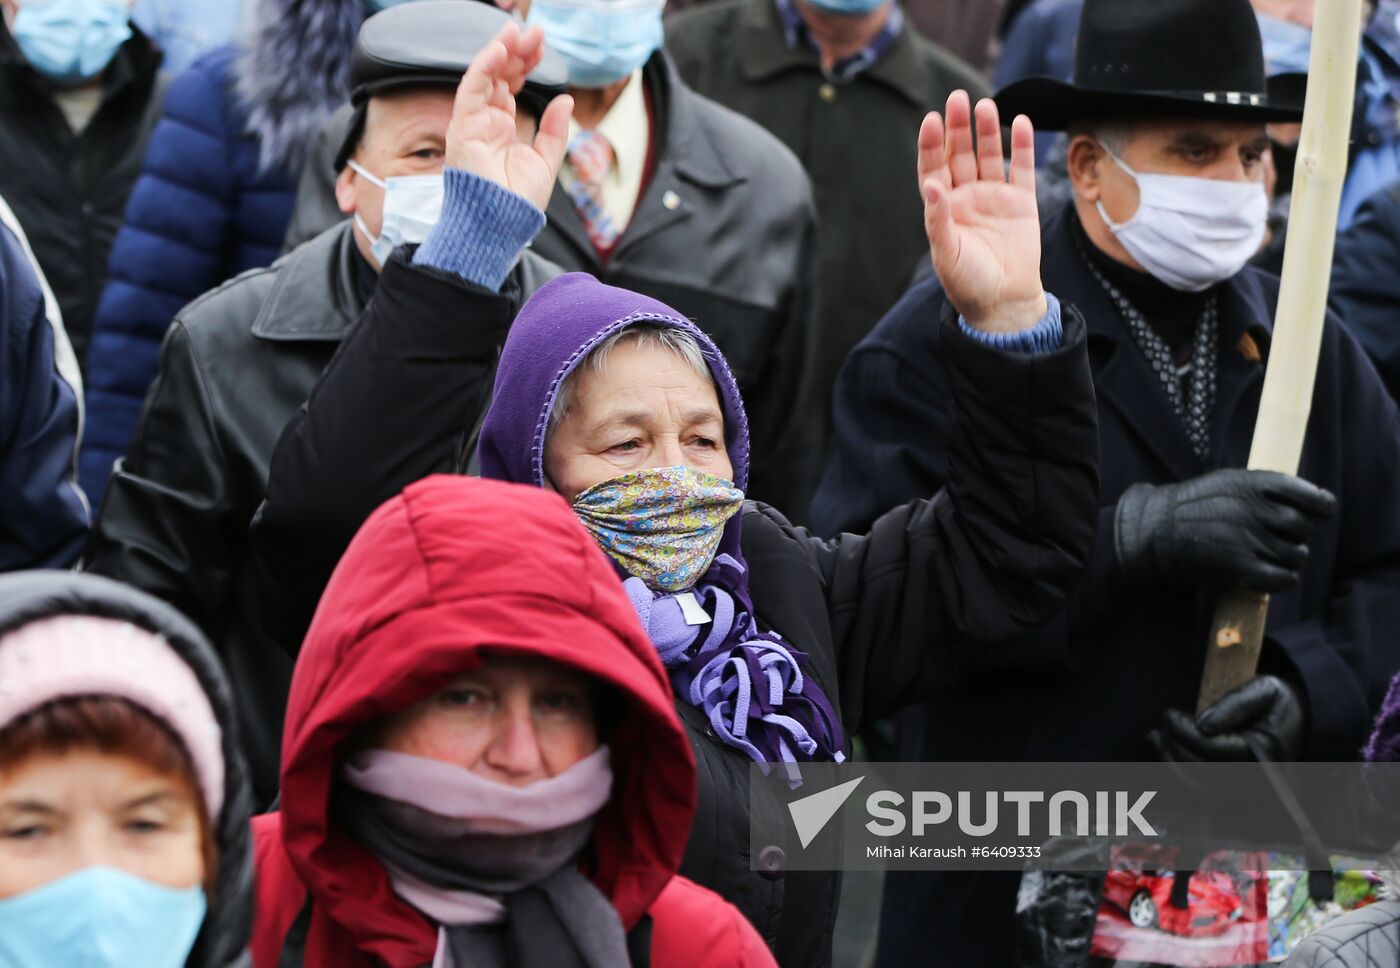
[[62, 813]]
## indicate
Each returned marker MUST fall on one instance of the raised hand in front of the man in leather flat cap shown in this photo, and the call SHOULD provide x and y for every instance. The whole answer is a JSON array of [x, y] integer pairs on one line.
[[482, 135]]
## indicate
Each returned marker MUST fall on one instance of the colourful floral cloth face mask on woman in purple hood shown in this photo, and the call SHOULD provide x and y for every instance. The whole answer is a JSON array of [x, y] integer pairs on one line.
[[663, 525]]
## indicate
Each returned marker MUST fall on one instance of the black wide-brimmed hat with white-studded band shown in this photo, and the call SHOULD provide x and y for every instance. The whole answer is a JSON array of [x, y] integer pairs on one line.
[[1200, 60]]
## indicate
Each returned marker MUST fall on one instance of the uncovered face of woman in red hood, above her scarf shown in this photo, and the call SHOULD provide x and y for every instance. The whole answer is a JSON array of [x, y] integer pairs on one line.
[[512, 721]]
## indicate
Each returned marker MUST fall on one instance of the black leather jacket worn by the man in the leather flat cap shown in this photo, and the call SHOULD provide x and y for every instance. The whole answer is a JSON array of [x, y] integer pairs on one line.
[[236, 366]]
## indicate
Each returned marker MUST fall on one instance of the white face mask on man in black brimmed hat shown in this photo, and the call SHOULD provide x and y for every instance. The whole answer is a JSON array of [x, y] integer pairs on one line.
[[1192, 233]]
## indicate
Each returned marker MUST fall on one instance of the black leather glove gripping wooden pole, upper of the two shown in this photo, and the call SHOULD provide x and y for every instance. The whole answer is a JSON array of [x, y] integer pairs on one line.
[[1227, 529]]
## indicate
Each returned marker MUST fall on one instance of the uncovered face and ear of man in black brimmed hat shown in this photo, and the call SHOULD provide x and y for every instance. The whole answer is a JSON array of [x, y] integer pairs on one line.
[[1202, 149]]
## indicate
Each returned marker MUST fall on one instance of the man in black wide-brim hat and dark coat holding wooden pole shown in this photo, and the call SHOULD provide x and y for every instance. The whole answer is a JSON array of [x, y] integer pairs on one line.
[[1167, 117]]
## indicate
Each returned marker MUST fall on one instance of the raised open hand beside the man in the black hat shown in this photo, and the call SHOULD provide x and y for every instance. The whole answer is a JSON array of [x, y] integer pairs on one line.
[[983, 230]]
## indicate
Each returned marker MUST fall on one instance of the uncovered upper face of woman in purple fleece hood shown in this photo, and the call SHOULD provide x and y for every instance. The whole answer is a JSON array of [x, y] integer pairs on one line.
[[647, 408]]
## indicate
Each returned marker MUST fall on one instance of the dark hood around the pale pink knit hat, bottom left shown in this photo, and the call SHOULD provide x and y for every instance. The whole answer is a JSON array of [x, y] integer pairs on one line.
[[31, 596]]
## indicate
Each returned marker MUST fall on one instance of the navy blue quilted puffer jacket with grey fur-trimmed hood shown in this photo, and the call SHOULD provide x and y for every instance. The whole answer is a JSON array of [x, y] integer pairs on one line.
[[215, 198]]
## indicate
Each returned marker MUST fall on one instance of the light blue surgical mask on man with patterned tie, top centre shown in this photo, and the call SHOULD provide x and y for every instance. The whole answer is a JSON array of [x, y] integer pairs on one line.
[[601, 41]]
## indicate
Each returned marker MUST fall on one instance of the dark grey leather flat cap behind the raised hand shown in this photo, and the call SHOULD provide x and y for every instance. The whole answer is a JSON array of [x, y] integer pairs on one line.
[[432, 43]]
